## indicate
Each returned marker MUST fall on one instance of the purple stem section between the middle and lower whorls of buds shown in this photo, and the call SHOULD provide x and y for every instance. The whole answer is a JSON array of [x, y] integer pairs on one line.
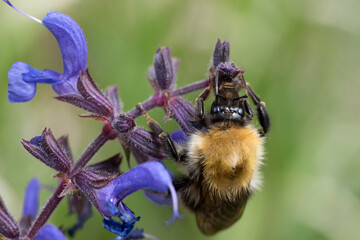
[[89, 153]]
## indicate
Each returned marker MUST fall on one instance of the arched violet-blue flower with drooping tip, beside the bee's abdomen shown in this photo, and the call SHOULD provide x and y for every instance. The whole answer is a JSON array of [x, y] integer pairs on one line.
[[151, 176]]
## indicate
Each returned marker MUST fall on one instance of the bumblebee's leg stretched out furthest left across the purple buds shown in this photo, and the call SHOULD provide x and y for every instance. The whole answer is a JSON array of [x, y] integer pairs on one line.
[[164, 136]]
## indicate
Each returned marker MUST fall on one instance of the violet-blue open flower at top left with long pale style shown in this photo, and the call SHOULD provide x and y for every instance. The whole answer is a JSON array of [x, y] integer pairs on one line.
[[23, 78]]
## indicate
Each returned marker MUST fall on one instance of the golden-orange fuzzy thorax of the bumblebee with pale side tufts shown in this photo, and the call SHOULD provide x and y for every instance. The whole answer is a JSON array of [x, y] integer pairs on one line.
[[226, 159]]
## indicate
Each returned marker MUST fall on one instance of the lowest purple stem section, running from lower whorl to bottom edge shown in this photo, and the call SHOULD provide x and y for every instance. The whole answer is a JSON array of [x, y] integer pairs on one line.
[[47, 210]]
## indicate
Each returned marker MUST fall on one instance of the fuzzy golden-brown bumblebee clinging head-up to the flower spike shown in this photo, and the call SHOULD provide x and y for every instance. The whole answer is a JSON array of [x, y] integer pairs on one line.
[[221, 160]]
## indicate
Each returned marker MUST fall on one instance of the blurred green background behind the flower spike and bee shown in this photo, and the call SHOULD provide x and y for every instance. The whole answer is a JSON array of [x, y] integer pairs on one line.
[[301, 57]]
